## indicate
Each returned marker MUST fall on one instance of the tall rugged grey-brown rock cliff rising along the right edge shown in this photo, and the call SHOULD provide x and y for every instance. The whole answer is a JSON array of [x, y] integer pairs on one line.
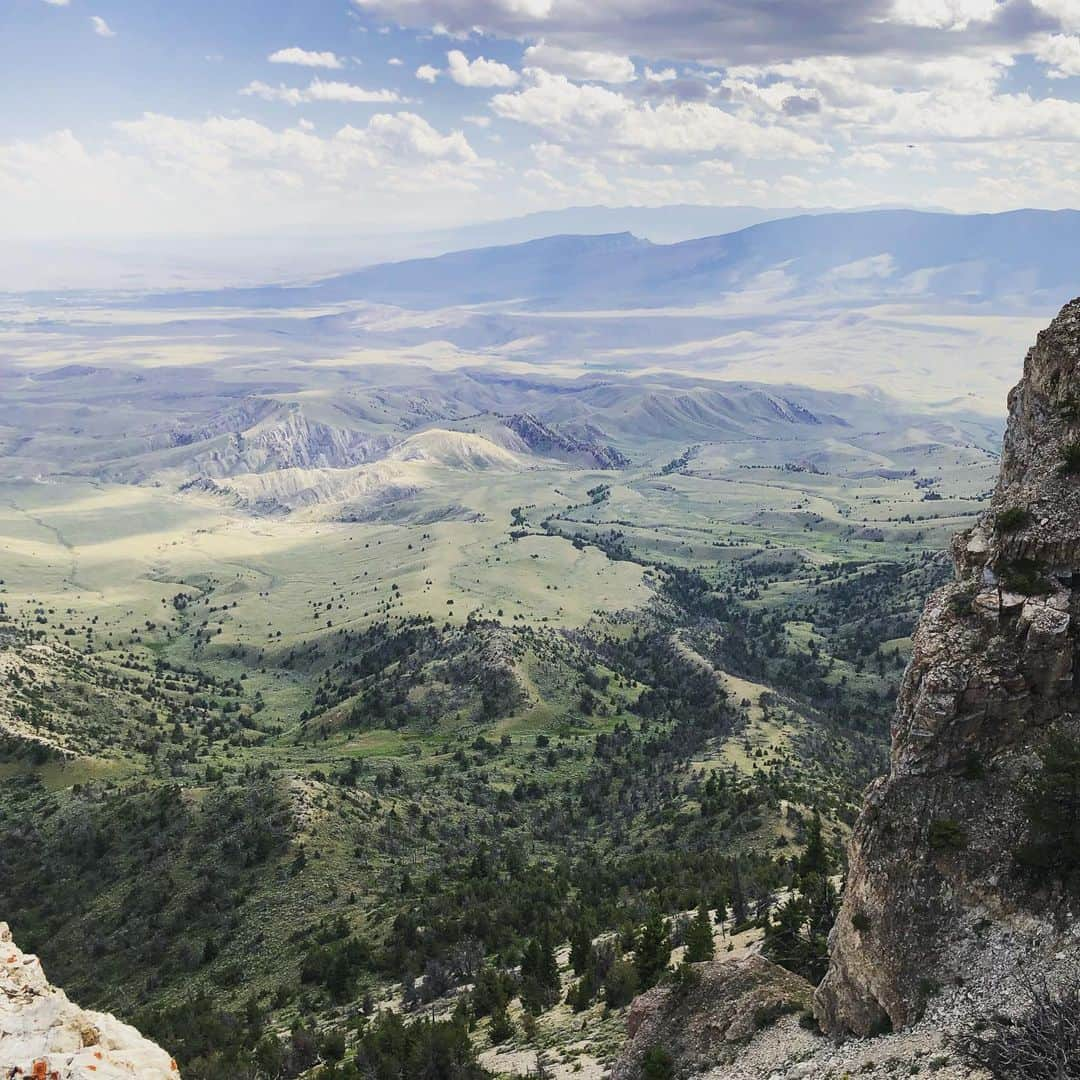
[[994, 669]]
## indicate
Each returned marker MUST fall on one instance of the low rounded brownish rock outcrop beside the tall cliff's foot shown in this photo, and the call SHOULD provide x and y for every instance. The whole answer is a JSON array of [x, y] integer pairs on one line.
[[708, 1019]]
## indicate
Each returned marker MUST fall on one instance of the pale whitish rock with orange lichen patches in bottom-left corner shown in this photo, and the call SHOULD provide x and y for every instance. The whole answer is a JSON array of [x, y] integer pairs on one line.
[[46, 1037]]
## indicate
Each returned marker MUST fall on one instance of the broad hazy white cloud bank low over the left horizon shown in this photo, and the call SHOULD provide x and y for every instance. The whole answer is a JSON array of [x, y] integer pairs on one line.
[[226, 171]]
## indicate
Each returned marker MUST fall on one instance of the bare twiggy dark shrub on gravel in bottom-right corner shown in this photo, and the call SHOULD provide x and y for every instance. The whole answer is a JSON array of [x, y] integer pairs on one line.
[[1043, 1045]]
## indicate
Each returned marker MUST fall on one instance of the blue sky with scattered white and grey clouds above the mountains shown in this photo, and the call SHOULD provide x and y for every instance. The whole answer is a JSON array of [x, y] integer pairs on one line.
[[160, 117]]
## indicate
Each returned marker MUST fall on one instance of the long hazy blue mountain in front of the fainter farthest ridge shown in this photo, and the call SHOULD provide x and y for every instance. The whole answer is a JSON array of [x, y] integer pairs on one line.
[[1022, 261]]
